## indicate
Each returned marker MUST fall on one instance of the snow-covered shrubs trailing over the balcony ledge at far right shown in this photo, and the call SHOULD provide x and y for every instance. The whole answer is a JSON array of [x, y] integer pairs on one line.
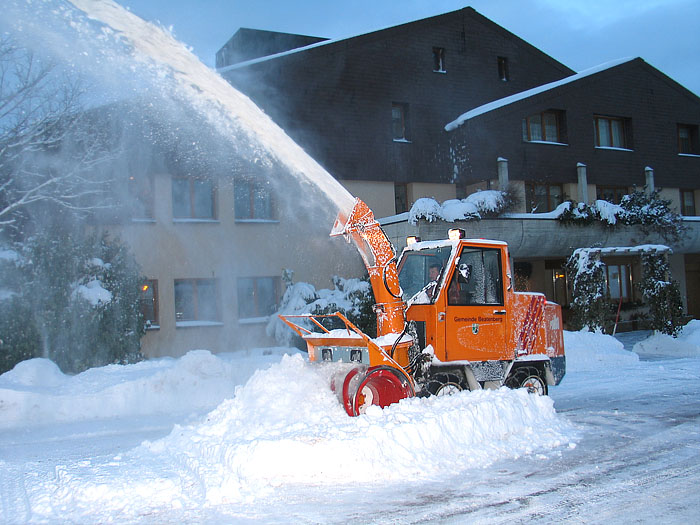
[[647, 210]]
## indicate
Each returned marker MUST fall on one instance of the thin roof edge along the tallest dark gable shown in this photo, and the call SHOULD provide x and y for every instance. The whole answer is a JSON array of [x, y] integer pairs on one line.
[[382, 33]]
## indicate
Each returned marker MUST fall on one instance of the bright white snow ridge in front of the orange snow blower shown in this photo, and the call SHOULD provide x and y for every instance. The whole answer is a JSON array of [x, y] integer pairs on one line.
[[285, 428]]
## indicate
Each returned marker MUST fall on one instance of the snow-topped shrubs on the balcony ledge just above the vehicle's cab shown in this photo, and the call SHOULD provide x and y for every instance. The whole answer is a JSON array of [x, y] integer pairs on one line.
[[476, 205]]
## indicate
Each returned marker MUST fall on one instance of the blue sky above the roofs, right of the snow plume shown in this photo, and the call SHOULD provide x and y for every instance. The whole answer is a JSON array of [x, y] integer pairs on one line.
[[578, 33]]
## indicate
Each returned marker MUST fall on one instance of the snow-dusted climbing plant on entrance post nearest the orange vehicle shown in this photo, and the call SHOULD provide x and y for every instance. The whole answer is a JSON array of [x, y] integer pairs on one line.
[[590, 306]]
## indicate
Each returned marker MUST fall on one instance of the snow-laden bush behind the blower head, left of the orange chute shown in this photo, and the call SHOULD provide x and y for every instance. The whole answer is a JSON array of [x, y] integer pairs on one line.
[[351, 297]]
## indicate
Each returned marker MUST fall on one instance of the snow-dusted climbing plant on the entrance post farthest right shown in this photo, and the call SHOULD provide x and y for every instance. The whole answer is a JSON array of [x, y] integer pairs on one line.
[[661, 294]]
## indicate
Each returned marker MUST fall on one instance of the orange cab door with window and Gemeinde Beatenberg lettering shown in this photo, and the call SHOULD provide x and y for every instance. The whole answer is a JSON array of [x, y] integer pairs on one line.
[[475, 317]]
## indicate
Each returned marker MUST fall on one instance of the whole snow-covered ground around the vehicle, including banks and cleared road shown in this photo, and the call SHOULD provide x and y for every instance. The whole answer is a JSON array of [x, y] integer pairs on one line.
[[173, 440]]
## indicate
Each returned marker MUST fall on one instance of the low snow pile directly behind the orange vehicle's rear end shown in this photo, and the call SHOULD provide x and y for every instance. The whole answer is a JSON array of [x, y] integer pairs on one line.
[[590, 351]]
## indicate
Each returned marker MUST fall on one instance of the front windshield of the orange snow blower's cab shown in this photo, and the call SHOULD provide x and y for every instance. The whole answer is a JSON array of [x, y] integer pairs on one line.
[[417, 269]]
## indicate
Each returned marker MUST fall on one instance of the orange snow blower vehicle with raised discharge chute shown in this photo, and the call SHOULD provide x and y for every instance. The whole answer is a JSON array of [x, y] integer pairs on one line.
[[448, 320]]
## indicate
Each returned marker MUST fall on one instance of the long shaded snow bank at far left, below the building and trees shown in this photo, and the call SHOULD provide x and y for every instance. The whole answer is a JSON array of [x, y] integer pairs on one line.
[[36, 392]]
